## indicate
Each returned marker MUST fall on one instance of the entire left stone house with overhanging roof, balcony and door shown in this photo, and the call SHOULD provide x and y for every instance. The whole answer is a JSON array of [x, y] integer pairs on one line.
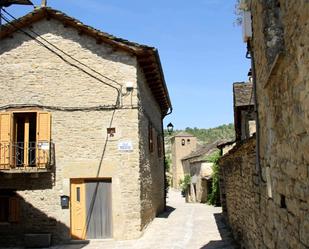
[[81, 137]]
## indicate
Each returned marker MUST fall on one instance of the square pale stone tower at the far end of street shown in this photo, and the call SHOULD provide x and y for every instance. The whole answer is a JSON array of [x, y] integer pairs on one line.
[[182, 145]]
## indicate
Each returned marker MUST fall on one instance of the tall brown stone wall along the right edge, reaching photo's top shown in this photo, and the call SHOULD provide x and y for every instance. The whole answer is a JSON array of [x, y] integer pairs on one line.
[[280, 47]]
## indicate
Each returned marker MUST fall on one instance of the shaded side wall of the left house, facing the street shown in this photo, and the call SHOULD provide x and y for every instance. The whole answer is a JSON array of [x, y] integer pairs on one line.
[[151, 163]]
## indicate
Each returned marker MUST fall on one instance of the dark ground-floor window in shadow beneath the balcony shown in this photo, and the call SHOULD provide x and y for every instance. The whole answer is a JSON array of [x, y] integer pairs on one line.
[[9, 206]]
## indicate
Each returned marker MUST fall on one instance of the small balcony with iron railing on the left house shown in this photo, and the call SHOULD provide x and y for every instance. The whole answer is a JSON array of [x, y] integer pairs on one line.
[[32, 157]]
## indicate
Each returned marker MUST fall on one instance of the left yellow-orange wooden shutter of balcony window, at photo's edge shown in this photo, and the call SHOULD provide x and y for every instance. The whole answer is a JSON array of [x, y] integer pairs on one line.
[[5, 139]]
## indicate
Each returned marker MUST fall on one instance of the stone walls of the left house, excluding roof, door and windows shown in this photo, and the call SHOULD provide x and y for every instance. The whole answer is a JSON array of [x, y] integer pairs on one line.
[[32, 75]]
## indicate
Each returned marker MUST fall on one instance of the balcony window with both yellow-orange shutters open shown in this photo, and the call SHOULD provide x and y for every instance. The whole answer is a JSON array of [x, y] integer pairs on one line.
[[24, 139]]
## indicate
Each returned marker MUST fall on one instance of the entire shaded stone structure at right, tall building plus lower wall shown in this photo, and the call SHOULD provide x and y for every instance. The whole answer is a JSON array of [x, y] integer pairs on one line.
[[266, 178]]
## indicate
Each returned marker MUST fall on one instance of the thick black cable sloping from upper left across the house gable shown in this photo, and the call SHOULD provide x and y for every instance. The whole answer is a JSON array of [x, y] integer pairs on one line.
[[62, 58]]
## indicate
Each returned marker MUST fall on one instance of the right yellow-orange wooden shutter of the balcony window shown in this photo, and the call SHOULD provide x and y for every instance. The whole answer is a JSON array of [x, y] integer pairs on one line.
[[43, 138]]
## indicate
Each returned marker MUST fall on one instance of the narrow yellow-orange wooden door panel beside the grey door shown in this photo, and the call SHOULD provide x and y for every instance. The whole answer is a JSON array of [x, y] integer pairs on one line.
[[78, 209]]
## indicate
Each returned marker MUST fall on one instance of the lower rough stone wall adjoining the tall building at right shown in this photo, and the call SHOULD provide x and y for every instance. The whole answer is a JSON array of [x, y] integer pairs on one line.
[[240, 194]]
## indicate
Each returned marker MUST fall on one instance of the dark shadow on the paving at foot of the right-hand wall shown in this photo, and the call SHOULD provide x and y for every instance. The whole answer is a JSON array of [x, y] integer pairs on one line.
[[227, 241]]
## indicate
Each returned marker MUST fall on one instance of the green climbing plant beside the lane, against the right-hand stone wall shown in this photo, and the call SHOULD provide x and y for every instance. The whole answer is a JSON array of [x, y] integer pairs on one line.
[[214, 195]]
